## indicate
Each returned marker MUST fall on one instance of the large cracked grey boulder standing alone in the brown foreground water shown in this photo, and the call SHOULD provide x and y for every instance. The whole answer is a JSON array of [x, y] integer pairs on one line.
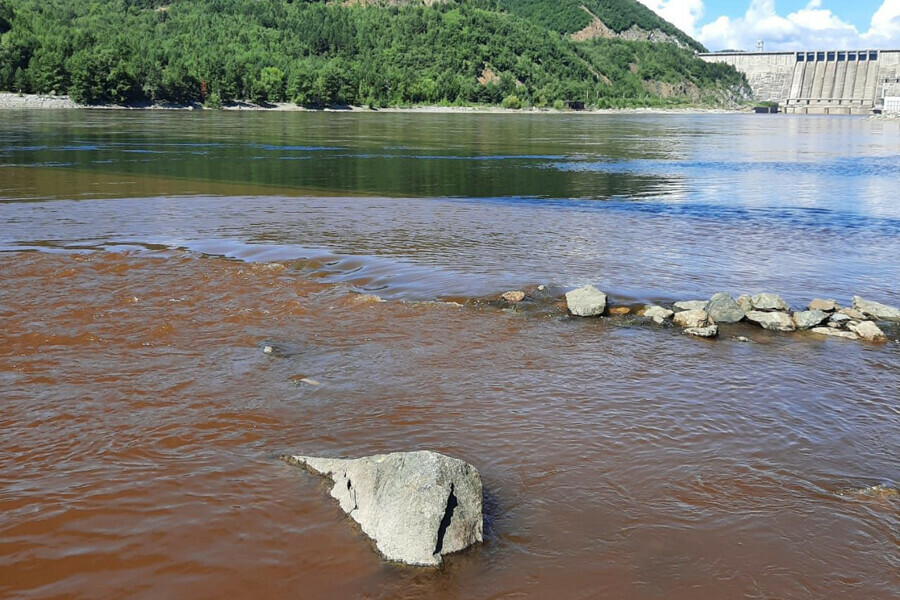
[[416, 506]]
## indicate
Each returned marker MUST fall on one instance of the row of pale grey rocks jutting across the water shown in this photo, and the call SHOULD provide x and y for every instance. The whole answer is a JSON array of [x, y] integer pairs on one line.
[[701, 318]]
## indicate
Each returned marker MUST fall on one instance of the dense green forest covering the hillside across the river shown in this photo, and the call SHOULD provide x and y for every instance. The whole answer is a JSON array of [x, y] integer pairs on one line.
[[510, 52]]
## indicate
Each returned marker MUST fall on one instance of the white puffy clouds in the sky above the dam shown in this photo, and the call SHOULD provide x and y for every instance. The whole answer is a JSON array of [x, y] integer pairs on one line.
[[813, 27]]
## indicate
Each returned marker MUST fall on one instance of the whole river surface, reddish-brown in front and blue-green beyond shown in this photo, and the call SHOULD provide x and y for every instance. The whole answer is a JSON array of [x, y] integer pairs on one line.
[[141, 421]]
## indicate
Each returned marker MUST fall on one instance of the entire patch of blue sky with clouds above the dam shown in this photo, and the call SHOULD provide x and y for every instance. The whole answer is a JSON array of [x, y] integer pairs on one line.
[[786, 24]]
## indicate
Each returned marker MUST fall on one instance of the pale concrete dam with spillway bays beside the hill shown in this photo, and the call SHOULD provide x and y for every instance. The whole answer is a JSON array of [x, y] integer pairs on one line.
[[835, 82]]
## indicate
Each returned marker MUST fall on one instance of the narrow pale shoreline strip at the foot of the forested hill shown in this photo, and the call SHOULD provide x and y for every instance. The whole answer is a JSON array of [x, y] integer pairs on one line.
[[15, 101]]
